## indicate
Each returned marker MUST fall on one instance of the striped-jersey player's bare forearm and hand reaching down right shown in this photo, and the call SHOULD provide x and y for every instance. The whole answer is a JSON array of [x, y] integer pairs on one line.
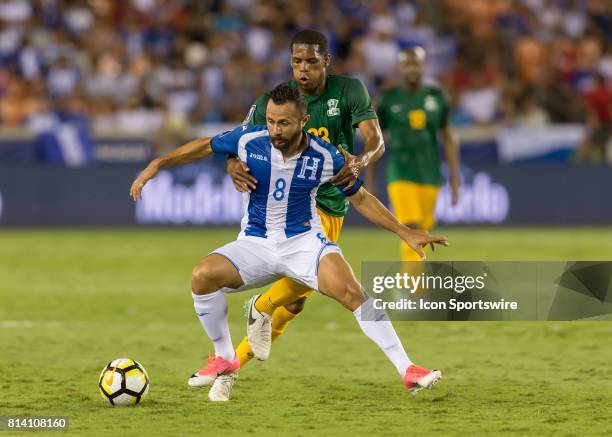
[[372, 209]]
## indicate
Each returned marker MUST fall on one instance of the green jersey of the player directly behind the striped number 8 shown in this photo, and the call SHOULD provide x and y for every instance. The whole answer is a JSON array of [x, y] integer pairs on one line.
[[345, 102]]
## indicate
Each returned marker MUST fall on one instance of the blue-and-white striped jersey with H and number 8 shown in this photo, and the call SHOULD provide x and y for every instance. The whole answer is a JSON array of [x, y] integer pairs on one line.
[[283, 204]]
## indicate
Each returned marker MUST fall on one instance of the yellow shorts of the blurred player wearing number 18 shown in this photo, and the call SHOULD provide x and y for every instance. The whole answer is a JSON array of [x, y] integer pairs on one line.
[[414, 204]]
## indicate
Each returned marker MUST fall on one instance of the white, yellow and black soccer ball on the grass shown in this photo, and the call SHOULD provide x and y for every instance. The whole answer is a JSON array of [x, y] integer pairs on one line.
[[124, 382]]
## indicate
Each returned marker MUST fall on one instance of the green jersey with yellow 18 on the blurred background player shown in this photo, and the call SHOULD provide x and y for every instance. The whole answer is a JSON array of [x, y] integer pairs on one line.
[[413, 119]]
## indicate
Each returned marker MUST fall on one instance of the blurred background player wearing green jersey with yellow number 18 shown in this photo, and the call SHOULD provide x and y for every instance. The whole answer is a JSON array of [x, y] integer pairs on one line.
[[414, 114]]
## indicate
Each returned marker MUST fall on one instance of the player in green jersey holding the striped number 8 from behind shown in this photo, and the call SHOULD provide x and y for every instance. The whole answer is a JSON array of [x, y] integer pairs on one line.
[[336, 105]]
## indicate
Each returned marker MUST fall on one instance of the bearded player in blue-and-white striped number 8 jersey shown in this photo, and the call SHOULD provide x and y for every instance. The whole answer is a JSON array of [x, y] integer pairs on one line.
[[281, 236]]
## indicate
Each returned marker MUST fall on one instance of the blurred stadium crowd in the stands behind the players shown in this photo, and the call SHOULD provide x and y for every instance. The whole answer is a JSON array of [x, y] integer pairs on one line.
[[162, 65]]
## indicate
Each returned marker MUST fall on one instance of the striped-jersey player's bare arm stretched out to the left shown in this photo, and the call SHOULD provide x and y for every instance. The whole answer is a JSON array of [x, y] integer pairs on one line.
[[189, 152]]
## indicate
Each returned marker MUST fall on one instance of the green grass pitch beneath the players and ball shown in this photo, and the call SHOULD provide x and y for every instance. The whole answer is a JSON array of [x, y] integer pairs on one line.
[[72, 300]]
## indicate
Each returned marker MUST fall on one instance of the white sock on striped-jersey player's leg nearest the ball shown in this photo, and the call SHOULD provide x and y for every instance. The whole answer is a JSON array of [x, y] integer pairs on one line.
[[211, 309]]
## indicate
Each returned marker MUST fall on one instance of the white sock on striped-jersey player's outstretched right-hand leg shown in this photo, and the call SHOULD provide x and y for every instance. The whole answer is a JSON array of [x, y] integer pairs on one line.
[[377, 326]]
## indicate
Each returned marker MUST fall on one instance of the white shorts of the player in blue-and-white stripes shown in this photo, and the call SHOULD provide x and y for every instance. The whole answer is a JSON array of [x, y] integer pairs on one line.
[[261, 261]]
